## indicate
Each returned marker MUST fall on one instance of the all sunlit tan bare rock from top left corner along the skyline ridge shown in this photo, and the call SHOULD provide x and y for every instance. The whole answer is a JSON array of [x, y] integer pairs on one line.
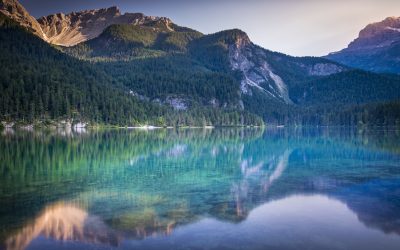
[[76, 27]]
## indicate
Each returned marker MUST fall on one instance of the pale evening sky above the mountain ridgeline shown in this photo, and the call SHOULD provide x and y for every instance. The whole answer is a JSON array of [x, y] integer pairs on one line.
[[294, 27]]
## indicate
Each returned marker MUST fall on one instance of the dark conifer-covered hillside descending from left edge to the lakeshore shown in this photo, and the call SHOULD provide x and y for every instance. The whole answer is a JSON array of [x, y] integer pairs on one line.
[[39, 83]]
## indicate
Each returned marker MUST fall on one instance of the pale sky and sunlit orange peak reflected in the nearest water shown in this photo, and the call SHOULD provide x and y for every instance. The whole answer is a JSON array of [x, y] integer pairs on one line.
[[294, 222]]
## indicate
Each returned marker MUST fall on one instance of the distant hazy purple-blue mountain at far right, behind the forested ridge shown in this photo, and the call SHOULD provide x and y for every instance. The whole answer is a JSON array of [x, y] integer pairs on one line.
[[376, 49]]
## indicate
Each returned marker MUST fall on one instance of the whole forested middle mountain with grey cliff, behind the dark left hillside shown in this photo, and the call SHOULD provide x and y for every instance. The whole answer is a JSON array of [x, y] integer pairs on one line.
[[272, 85]]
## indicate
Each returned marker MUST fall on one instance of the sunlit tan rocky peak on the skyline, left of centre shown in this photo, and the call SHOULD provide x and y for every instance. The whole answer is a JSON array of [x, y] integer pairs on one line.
[[77, 27]]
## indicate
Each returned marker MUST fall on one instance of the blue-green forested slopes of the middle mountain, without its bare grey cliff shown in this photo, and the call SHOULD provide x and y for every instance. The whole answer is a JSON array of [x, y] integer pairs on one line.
[[202, 69]]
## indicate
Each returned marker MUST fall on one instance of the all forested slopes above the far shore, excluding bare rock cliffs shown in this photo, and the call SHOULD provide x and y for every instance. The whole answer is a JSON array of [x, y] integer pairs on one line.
[[137, 74]]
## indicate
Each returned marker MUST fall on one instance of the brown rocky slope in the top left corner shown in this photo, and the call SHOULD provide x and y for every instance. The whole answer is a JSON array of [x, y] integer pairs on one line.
[[17, 12]]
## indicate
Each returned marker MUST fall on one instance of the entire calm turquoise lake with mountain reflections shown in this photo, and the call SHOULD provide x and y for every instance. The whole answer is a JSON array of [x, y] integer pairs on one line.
[[200, 189]]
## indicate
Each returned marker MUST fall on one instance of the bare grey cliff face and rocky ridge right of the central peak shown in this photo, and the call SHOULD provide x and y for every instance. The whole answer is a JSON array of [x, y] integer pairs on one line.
[[263, 70]]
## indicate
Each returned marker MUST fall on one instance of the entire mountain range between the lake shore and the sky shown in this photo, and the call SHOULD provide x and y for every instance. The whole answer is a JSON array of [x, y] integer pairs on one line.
[[172, 75]]
